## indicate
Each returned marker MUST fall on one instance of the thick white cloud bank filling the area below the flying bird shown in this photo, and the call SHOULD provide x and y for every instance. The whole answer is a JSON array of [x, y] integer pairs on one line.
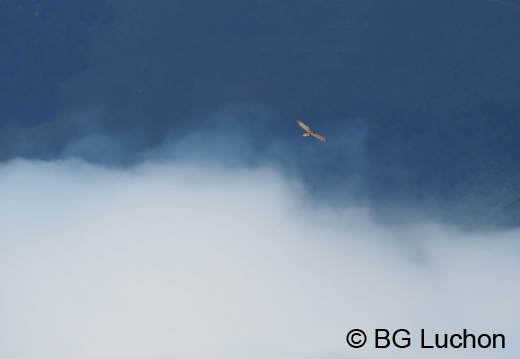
[[177, 261]]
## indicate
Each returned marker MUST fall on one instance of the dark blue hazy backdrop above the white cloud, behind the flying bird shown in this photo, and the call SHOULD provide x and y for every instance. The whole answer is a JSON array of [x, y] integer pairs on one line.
[[418, 115]]
